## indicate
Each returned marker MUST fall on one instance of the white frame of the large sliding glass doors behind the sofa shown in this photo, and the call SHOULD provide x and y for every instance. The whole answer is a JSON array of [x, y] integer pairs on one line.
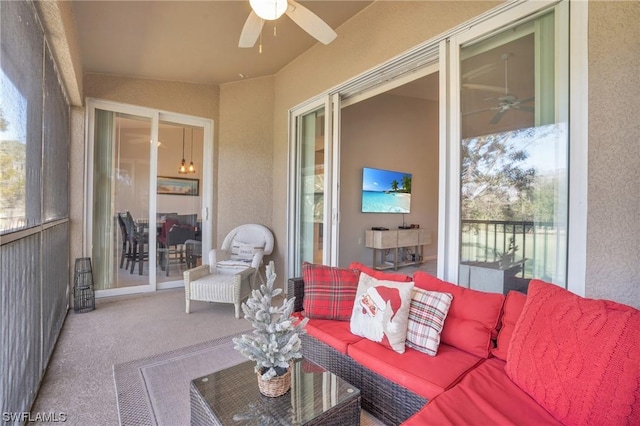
[[445, 48]]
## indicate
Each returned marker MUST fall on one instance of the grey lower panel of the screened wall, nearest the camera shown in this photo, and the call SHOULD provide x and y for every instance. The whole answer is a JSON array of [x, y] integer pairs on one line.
[[21, 344]]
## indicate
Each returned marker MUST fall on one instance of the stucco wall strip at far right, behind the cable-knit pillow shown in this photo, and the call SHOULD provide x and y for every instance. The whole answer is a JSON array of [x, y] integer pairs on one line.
[[613, 238]]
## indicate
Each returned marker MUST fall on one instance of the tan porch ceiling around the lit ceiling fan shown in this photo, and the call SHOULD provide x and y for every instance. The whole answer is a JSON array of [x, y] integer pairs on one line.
[[191, 41]]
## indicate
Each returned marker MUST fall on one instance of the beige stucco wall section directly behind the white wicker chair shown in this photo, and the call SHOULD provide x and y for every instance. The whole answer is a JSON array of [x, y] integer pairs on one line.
[[245, 154]]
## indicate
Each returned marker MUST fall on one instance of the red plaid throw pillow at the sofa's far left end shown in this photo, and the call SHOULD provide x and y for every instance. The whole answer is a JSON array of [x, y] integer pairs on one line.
[[329, 293]]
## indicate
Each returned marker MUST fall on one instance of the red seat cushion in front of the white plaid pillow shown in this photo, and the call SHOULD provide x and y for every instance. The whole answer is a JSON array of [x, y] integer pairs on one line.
[[422, 374]]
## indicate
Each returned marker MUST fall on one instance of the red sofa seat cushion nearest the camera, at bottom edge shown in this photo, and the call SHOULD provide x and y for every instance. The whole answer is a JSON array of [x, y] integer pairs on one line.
[[485, 396]]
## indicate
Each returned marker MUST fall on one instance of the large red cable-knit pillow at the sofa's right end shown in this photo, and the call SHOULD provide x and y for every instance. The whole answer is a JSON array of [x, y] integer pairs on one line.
[[579, 358]]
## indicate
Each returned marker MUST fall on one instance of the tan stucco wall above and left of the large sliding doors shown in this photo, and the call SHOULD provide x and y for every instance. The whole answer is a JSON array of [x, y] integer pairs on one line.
[[379, 33]]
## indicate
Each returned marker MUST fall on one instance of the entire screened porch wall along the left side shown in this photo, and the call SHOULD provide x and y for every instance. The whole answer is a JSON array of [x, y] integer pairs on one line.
[[34, 182]]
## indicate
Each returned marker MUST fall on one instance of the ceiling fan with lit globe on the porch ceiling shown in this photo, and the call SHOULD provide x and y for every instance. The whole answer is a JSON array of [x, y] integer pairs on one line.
[[273, 9]]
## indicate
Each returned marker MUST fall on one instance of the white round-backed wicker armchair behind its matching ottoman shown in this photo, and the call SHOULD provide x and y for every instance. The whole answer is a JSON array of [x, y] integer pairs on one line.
[[244, 247]]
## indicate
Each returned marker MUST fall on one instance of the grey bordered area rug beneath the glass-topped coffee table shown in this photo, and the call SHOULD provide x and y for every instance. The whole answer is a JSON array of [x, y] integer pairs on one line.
[[155, 390]]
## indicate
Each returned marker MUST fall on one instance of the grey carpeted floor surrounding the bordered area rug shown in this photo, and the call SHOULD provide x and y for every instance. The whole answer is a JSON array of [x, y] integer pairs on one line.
[[79, 380]]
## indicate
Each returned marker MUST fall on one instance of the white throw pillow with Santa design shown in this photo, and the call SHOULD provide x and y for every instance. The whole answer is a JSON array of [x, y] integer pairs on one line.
[[381, 311]]
